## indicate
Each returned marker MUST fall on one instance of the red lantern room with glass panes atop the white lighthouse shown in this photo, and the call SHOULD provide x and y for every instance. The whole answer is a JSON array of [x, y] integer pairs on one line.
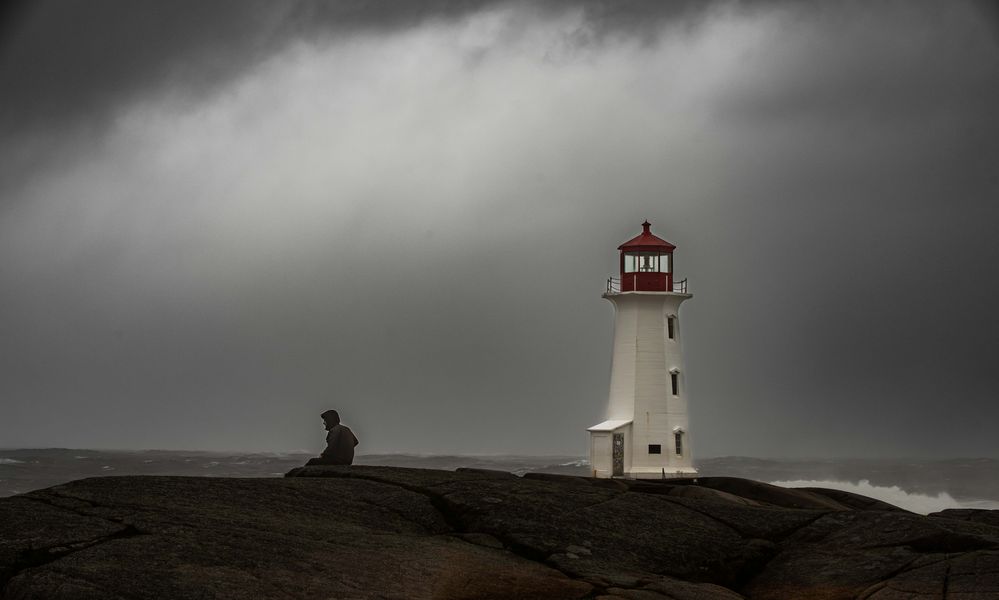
[[647, 264]]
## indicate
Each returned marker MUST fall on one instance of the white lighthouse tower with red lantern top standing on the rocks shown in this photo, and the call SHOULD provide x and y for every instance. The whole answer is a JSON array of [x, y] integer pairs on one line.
[[646, 433]]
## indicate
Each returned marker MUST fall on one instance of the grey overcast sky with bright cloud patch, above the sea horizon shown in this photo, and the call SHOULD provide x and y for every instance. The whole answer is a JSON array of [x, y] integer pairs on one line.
[[219, 219]]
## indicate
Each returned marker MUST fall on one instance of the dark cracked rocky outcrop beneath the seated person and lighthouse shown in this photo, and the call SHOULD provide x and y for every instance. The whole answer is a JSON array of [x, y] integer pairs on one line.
[[384, 532]]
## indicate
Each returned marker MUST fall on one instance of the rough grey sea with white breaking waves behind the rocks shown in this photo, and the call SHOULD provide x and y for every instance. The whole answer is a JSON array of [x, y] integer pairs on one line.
[[921, 486]]
